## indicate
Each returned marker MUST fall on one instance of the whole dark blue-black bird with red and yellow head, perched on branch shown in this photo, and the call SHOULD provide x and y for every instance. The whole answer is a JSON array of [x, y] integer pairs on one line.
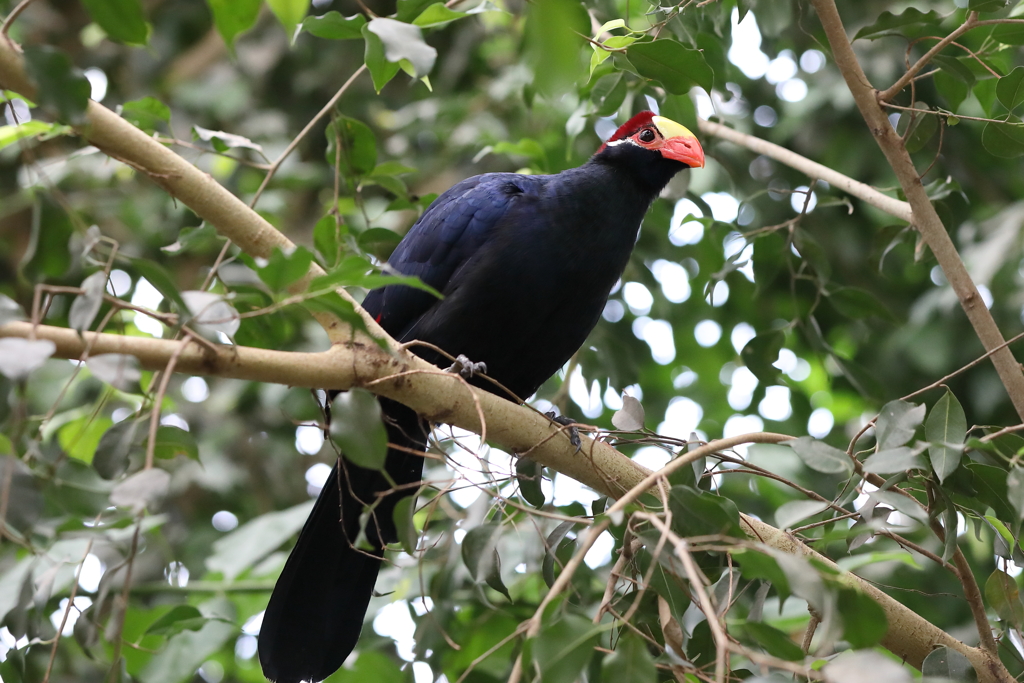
[[526, 265]]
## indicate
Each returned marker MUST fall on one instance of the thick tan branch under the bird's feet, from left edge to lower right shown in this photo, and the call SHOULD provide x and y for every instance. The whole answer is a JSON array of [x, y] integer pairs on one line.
[[445, 398]]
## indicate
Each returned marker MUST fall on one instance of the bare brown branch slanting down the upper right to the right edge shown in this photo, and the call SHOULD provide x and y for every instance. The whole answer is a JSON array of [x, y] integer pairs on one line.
[[926, 220]]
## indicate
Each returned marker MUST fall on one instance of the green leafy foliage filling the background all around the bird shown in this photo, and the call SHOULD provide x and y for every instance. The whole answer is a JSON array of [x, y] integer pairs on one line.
[[756, 300]]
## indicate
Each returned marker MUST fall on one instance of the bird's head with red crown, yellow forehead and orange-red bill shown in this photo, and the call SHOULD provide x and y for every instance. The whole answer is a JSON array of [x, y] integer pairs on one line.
[[653, 146]]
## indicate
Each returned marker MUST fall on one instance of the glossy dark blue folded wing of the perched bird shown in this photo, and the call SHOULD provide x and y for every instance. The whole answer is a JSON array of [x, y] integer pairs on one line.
[[447, 236]]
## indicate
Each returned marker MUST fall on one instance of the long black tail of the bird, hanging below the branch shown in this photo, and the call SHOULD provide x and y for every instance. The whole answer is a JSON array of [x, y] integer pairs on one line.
[[317, 610]]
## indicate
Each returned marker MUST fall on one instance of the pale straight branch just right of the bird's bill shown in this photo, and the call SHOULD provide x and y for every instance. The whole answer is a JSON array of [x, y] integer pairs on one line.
[[810, 168]]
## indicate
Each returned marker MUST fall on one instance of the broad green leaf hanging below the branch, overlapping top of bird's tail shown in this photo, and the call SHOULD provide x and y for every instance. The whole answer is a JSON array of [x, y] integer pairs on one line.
[[358, 429]]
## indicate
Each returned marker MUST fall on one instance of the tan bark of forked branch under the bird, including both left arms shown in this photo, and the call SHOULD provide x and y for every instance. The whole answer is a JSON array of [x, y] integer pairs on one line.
[[352, 362]]
